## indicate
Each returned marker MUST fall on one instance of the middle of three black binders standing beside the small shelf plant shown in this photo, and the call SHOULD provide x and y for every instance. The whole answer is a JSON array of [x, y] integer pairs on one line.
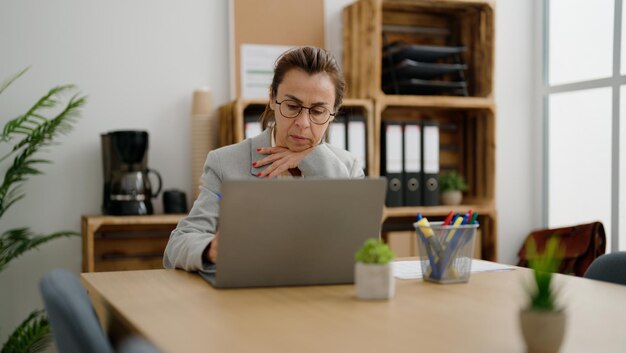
[[412, 164]]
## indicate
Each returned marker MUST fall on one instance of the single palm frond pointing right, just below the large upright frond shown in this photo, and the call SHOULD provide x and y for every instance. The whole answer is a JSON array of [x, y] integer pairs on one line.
[[15, 242]]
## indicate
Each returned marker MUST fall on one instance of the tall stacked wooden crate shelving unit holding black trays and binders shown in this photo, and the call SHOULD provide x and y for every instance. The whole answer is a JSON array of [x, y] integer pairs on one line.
[[467, 122]]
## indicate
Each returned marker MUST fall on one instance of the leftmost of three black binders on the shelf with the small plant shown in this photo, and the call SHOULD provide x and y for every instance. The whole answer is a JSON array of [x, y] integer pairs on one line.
[[392, 162]]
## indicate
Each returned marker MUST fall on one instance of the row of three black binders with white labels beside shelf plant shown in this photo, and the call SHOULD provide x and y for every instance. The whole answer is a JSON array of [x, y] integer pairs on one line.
[[410, 161]]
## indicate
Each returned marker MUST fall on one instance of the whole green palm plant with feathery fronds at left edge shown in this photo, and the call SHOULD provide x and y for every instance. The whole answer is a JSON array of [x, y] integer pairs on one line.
[[28, 134]]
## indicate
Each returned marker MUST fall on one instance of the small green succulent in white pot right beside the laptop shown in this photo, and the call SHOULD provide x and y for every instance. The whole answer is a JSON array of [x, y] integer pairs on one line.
[[373, 272]]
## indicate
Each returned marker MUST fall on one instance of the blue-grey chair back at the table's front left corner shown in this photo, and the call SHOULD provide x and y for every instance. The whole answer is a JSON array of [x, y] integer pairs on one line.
[[73, 321]]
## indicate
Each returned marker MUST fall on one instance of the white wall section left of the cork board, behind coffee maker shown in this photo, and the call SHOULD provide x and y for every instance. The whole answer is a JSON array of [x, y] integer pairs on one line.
[[138, 61]]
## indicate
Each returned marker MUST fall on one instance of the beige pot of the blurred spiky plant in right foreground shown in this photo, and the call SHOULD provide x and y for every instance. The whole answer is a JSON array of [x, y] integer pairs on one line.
[[543, 331]]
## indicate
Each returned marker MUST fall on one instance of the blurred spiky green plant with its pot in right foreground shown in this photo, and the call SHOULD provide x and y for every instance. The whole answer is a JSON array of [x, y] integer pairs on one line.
[[543, 321]]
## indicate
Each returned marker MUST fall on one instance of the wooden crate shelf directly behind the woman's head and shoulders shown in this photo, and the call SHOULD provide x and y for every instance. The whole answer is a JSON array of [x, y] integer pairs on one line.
[[232, 117]]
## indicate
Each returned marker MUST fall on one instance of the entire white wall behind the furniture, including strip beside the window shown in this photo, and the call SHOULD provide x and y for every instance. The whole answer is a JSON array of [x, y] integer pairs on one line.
[[139, 61]]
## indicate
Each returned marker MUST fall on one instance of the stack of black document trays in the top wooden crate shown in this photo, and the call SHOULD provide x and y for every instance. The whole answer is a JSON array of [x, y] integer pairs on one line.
[[423, 70]]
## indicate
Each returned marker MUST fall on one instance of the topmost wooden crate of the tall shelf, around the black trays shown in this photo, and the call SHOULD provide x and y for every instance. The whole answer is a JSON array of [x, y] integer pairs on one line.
[[367, 24]]
